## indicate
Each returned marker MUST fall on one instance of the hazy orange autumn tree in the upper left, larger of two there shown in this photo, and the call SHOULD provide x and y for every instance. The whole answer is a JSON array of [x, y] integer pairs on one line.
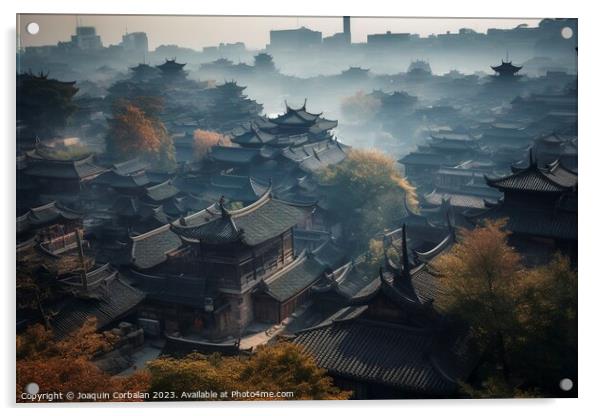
[[136, 131]]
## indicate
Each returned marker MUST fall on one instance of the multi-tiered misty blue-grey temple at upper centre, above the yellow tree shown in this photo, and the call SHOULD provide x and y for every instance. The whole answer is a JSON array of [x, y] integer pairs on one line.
[[285, 151]]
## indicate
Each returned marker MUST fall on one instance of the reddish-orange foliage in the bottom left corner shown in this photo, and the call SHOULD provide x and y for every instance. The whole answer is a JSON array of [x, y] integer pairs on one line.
[[67, 365]]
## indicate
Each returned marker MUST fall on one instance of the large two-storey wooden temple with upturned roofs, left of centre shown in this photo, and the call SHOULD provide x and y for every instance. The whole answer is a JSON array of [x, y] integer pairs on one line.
[[211, 274]]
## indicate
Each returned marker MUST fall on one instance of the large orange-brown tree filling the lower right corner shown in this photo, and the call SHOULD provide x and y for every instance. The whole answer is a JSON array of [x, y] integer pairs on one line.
[[524, 320]]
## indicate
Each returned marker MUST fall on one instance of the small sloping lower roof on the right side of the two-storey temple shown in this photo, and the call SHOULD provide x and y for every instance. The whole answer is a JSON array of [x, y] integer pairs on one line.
[[294, 278]]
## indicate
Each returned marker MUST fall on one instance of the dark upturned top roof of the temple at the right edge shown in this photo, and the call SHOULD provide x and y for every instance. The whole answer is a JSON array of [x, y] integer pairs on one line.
[[554, 178]]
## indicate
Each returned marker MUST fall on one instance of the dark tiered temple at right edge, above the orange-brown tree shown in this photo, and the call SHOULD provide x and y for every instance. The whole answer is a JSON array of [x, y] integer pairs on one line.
[[540, 205]]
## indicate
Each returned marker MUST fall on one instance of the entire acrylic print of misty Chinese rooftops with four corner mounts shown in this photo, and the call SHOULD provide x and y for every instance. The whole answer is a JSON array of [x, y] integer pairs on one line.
[[301, 208]]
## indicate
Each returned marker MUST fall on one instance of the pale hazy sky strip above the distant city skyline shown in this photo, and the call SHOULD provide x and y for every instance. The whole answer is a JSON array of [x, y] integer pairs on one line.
[[197, 32]]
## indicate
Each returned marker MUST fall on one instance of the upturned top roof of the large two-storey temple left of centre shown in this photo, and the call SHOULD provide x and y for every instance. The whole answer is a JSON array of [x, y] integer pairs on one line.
[[266, 218]]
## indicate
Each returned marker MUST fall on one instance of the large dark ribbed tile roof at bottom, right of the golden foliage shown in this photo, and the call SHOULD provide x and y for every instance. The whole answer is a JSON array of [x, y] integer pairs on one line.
[[376, 352]]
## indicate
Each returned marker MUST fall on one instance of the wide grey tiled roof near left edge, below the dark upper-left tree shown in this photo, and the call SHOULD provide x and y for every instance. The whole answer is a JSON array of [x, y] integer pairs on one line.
[[42, 166]]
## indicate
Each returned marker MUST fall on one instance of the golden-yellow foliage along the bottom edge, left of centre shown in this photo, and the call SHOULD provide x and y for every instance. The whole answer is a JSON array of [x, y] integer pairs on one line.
[[281, 367]]
